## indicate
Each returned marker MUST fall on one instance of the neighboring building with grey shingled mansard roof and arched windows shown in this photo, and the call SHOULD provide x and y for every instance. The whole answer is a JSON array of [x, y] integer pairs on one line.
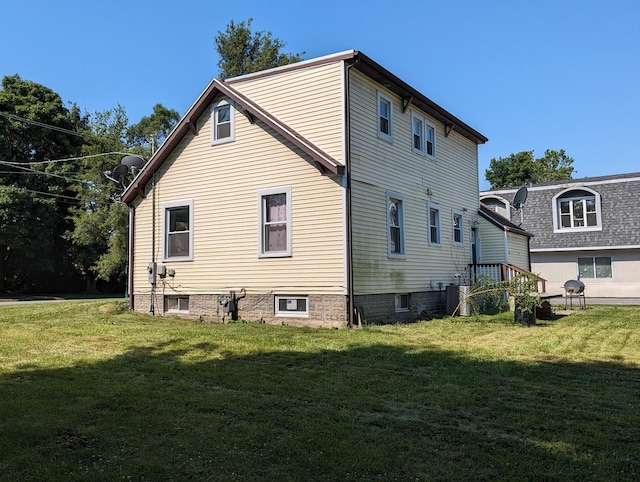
[[587, 229]]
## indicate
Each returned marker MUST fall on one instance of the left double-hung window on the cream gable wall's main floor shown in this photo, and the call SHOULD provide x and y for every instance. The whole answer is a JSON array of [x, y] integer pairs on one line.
[[178, 230]]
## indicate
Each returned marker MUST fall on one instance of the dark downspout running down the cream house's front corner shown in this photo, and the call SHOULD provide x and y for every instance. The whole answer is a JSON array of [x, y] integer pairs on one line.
[[351, 302]]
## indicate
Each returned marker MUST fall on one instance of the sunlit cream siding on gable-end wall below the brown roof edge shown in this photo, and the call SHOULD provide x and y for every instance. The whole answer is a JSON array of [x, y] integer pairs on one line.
[[223, 181]]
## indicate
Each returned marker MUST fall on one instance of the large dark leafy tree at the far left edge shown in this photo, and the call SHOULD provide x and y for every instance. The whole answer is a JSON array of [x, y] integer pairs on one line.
[[36, 127]]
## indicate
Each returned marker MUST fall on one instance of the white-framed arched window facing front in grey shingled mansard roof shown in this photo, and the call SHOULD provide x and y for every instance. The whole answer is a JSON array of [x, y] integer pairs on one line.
[[577, 209]]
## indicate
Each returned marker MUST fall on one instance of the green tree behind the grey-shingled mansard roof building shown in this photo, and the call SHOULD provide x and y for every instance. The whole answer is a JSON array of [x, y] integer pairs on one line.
[[522, 169]]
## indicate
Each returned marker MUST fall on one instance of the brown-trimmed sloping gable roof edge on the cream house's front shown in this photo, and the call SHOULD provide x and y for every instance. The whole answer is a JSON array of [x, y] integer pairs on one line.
[[324, 162]]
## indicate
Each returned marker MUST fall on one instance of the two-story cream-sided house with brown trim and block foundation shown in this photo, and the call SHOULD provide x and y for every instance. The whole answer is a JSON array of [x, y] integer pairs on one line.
[[325, 193]]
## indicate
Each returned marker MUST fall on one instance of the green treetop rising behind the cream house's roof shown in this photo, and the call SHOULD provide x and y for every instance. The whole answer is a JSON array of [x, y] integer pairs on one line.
[[242, 51]]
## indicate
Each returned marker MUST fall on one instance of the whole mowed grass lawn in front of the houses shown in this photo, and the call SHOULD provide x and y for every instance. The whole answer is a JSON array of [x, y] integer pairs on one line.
[[91, 391]]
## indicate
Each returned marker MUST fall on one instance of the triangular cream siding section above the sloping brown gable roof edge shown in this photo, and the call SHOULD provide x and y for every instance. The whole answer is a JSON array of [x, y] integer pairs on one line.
[[308, 100]]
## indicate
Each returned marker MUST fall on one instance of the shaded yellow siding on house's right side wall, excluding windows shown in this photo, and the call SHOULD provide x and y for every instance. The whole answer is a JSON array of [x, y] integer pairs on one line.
[[379, 166]]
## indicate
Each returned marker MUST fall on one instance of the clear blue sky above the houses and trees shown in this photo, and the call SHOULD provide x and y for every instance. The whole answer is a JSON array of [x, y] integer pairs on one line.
[[529, 75]]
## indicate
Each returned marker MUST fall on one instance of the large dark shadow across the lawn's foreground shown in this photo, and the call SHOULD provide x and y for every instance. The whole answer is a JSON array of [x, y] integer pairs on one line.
[[380, 412]]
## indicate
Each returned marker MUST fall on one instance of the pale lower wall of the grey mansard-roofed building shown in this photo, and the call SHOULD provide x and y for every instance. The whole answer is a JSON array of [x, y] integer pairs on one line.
[[558, 267]]
